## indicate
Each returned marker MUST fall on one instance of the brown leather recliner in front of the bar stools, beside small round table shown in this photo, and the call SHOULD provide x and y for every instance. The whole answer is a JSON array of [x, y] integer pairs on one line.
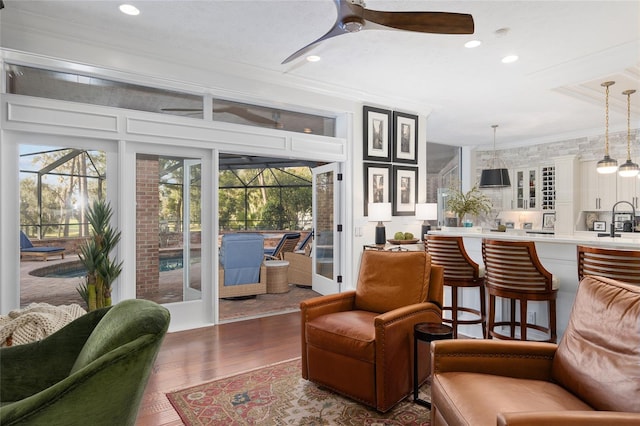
[[360, 343]]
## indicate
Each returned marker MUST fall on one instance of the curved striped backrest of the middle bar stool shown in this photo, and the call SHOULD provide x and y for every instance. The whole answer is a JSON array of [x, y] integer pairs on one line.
[[514, 267]]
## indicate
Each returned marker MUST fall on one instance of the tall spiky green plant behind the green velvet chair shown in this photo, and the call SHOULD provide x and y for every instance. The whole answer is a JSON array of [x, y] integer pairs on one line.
[[102, 270]]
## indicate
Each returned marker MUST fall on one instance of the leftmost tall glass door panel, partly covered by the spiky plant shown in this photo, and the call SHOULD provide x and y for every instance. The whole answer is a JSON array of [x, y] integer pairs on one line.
[[58, 184]]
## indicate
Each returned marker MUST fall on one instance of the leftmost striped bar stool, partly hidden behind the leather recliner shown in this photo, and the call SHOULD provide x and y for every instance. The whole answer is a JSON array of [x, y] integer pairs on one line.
[[460, 271]]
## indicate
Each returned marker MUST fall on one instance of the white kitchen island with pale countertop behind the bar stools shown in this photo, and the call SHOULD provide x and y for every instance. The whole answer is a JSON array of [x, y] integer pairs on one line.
[[558, 254]]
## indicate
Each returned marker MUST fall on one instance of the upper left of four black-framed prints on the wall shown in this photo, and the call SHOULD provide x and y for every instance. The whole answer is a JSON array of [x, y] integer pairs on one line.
[[377, 134]]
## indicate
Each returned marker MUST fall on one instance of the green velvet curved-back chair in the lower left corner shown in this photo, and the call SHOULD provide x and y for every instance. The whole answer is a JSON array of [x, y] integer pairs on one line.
[[92, 371]]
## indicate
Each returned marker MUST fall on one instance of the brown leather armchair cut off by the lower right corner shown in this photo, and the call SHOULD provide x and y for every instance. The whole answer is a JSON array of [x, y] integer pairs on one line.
[[592, 377]]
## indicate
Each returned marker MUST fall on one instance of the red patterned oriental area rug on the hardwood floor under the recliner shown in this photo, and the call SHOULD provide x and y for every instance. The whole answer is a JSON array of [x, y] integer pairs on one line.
[[278, 395]]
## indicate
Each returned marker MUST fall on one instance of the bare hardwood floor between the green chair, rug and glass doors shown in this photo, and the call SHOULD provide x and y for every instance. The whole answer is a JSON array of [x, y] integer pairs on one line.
[[192, 357]]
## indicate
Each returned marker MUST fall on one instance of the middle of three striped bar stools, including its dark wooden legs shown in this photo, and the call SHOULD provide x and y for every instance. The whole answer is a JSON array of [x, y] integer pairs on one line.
[[513, 271]]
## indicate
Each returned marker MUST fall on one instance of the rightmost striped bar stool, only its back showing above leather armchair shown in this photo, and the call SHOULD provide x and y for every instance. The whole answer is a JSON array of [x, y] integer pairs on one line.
[[621, 265]]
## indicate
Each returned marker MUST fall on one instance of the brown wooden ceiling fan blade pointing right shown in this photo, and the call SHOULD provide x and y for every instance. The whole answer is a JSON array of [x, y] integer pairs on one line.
[[425, 22]]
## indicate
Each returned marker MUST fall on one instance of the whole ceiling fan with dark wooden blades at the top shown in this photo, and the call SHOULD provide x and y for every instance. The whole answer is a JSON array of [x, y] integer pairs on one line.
[[354, 17]]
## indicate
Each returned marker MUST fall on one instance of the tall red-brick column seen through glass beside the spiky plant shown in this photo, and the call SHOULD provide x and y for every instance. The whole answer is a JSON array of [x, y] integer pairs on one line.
[[147, 226]]
